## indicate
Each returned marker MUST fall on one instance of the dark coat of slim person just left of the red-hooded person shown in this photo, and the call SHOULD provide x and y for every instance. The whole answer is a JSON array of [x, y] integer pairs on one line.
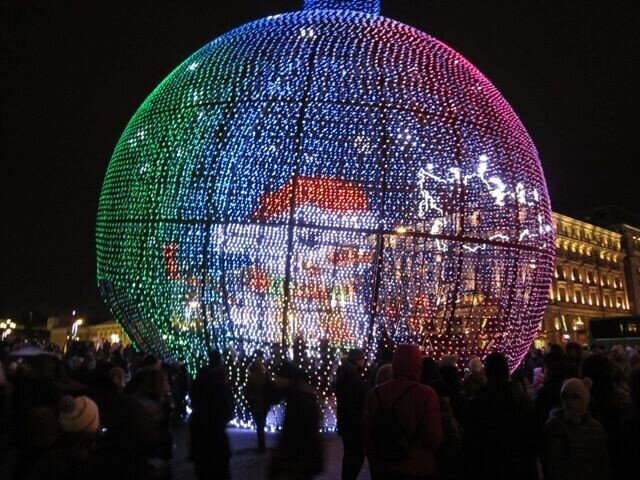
[[350, 397]]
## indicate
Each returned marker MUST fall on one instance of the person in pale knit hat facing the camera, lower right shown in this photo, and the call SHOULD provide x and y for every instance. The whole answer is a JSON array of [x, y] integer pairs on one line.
[[575, 444]]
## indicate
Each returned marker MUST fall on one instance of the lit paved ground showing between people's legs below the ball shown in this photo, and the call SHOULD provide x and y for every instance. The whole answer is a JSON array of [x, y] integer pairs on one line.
[[247, 463]]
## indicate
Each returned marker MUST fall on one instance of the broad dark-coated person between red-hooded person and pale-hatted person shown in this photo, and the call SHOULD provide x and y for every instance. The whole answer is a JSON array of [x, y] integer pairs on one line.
[[499, 428]]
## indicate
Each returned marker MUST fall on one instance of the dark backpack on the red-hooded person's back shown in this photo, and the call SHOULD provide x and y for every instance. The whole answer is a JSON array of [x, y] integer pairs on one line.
[[391, 442]]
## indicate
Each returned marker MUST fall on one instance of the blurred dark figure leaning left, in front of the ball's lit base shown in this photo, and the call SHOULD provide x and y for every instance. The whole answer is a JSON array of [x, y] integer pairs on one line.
[[299, 453]]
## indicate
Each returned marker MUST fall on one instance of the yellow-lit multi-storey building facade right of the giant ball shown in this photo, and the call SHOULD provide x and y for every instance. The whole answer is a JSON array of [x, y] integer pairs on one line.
[[589, 281]]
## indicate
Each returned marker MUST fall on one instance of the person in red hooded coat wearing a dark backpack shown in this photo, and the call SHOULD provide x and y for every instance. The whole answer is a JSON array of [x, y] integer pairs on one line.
[[402, 424]]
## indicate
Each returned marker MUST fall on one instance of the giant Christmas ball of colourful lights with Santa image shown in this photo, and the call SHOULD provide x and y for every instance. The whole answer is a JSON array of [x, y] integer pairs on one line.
[[320, 180]]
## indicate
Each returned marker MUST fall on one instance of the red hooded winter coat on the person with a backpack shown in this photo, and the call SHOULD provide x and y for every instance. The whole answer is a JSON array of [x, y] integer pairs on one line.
[[418, 412]]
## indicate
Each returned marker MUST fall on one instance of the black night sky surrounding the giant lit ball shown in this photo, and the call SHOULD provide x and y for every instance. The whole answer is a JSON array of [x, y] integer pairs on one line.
[[74, 72]]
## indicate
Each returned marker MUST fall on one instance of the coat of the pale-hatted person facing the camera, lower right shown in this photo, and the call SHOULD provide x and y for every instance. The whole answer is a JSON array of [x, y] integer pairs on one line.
[[575, 450]]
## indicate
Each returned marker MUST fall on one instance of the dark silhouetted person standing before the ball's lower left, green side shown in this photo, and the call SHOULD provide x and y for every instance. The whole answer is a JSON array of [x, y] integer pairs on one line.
[[212, 409]]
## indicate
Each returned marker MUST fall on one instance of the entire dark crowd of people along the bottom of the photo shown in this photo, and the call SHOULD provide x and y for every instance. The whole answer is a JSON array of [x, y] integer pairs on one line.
[[565, 412]]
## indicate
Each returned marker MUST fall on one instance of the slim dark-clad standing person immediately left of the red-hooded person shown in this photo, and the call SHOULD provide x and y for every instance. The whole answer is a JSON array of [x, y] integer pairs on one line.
[[350, 397]]
